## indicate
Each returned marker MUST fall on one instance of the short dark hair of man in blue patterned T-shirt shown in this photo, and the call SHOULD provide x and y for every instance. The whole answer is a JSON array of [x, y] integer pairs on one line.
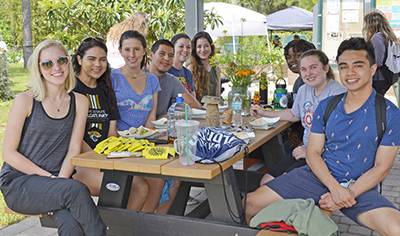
[[357, 44]]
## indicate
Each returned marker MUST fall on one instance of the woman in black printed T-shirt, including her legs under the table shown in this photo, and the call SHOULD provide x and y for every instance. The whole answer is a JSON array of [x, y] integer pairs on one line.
[[93, 79]]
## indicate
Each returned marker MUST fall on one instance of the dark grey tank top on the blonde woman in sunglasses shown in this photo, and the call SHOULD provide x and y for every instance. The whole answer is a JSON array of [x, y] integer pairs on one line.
[[44, 140]]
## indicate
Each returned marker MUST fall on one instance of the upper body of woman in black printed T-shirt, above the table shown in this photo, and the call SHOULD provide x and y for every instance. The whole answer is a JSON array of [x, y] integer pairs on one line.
[[94, 81]]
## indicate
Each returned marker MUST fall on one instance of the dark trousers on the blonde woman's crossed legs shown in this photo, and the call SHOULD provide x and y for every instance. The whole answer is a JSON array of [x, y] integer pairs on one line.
[[70, 200]]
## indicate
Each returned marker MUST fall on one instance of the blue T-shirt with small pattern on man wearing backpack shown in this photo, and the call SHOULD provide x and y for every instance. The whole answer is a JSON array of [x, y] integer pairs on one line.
[[352, 139]]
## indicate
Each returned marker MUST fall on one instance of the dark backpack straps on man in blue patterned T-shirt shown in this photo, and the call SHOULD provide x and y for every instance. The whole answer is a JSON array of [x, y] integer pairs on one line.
[[380, 114]]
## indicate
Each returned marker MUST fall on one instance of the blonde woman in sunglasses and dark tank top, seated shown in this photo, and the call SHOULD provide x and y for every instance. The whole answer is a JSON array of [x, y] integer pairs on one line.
[[44, 130]]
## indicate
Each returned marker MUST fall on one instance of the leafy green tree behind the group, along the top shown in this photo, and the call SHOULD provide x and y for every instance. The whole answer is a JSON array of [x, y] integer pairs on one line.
[[71, 20]]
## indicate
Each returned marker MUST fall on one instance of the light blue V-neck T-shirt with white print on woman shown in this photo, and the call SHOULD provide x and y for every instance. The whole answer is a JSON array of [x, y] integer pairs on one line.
[[133, 108]]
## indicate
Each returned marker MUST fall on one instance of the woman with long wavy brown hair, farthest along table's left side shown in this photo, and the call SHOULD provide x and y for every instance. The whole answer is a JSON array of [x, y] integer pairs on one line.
[[206, 78]]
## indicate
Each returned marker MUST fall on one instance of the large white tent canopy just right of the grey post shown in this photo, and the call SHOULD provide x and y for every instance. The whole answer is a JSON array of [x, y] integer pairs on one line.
[[255, 23]]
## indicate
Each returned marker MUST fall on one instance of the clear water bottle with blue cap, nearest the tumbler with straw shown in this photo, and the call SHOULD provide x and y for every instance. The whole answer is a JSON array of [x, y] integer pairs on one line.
[[177, 112]]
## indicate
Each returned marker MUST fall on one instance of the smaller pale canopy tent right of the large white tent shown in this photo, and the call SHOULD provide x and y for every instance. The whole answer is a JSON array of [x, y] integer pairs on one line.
[[291, 18]]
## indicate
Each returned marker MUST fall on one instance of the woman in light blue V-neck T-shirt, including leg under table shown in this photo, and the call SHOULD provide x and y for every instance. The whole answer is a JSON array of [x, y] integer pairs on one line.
[[137, 94]]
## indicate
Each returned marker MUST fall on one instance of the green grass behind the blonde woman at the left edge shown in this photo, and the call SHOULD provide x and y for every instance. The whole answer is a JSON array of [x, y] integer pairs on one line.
[[20, 80]]
